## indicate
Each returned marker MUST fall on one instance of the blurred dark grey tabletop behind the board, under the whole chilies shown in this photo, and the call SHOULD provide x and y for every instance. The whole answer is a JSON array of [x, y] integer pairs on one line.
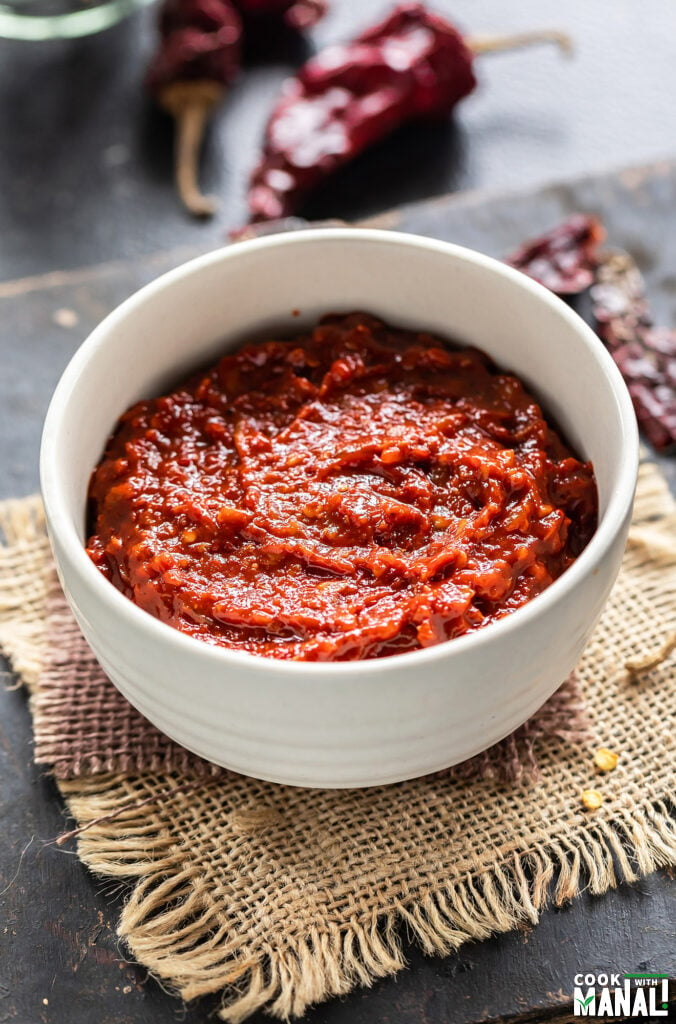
[[86, 163]]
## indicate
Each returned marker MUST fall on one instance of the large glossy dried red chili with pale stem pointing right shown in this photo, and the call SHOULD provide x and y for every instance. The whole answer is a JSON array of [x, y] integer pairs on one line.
[[413, 65]]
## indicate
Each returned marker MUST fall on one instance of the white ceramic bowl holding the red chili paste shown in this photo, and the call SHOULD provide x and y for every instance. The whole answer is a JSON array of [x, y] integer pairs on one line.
[[359, 723]]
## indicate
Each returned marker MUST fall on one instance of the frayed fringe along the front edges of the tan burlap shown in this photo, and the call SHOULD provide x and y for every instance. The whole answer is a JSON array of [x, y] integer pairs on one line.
[[177, 935]]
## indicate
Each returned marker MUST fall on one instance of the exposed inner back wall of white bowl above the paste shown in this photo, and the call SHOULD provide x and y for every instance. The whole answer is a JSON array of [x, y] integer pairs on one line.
[[280, 286]]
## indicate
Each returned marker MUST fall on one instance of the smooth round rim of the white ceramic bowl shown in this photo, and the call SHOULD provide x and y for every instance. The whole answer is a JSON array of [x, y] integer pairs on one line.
[[119, 607]]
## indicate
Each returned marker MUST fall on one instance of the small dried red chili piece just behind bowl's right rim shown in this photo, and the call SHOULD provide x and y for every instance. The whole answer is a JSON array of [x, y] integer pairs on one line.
[[564, 260]]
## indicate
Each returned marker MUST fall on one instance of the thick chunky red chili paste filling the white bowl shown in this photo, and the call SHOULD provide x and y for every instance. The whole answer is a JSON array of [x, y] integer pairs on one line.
[[358, 492]]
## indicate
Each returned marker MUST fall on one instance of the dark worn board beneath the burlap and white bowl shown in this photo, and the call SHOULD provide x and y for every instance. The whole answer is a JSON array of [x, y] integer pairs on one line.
[[57, 923]]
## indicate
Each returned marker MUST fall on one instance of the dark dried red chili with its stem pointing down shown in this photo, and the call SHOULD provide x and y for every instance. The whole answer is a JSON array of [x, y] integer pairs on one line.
[[199, 57]]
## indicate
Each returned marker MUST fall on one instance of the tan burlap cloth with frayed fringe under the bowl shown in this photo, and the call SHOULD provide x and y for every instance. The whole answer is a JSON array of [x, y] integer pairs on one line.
[[278, 898]]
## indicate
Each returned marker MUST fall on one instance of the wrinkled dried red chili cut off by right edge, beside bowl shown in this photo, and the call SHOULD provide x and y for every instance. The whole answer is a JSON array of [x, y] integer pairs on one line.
[[646, 356]]
